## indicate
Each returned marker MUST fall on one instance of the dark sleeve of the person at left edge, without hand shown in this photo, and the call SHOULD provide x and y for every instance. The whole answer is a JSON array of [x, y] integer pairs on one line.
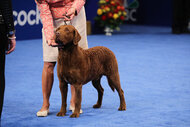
[[7, 12]]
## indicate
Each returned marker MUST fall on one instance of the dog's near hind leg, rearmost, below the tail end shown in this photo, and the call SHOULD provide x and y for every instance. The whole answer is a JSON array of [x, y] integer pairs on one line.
[[114, 82]]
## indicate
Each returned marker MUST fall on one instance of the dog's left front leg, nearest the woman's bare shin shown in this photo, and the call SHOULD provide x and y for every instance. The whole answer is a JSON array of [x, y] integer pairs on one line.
[[63, 88]]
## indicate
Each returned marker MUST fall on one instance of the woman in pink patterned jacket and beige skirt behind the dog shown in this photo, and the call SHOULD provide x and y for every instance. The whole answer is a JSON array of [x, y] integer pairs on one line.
[[55, 13]]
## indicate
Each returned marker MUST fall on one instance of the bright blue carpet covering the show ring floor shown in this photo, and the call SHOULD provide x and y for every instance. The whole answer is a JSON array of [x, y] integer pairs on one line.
[[154, 68]]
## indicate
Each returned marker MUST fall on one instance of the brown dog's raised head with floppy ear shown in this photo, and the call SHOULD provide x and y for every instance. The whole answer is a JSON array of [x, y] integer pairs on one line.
[[67, 35]]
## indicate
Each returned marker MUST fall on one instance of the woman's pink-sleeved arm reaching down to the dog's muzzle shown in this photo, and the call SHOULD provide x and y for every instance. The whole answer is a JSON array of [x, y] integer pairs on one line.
[[47, 20]]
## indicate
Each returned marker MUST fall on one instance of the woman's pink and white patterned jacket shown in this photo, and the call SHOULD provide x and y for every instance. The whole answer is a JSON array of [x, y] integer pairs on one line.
[[54, 9]]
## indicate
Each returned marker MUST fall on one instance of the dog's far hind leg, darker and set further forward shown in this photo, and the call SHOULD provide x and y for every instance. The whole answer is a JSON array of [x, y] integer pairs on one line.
[[97, 85]]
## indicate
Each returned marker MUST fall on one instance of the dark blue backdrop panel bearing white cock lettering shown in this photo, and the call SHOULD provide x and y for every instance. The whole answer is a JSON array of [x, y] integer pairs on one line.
[[27, 19]]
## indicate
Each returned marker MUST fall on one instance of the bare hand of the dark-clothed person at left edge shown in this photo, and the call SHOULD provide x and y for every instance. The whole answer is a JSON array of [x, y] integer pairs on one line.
[[11, 45]]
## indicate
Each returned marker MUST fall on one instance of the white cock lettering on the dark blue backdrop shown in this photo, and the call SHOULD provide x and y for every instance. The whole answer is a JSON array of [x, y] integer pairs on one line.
[[22, 17]]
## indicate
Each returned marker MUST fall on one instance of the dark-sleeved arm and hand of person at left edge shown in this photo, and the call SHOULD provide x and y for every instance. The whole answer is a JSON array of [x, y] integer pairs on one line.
[[7, 12]]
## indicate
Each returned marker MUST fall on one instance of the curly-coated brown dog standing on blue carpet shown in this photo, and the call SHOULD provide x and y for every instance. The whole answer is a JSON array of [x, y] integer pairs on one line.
[[78, 66]]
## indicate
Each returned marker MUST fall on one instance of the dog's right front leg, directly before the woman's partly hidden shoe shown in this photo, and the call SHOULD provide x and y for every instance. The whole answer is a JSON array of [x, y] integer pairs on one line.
[[78, 99]]
